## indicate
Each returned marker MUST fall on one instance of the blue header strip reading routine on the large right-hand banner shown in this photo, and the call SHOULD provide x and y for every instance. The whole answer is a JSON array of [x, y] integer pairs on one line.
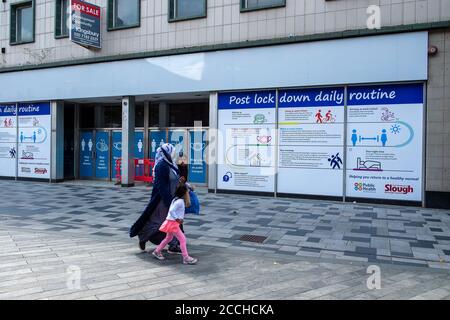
[[387, 94]]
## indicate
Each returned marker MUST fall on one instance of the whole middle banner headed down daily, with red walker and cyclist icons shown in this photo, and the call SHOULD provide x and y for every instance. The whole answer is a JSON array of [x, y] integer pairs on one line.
[[311, 141]]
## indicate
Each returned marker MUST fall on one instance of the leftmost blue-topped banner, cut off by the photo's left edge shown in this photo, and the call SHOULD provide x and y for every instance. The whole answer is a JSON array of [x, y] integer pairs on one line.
[[8, 140]]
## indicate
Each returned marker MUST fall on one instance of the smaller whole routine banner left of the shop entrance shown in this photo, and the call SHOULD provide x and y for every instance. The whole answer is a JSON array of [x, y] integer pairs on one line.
[[34, 140]]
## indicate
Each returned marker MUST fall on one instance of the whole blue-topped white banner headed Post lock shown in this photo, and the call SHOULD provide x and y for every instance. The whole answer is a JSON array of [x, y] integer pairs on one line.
[[246, 144]]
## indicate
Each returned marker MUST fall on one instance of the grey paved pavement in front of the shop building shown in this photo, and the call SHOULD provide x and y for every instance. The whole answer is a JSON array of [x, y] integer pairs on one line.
[[313, 250]]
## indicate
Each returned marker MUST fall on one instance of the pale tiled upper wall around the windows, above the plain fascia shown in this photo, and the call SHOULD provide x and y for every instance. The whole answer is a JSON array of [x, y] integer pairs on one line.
[[224, 23]]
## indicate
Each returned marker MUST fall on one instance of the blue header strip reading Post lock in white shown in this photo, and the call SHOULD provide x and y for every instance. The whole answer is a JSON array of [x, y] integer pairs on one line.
[[247, 100]]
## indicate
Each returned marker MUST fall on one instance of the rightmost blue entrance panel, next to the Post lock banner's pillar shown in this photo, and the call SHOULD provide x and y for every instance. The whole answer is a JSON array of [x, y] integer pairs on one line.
[[197, 161]]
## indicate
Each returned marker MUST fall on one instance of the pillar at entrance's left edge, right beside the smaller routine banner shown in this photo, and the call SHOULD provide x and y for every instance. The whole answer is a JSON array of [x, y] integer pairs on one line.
[[57, 143]]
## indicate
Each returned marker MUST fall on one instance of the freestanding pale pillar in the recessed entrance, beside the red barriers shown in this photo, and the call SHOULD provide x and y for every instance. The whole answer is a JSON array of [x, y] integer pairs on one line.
[[128, 124]]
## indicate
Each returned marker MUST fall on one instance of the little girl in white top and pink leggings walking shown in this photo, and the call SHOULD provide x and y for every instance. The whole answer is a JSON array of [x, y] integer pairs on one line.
[[172, 225]]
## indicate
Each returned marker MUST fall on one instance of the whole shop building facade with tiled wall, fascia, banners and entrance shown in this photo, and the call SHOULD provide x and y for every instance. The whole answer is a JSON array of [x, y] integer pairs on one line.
[[329, 90]]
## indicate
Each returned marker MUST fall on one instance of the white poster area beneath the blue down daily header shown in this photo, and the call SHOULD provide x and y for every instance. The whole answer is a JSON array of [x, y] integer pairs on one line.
[[305, 149]]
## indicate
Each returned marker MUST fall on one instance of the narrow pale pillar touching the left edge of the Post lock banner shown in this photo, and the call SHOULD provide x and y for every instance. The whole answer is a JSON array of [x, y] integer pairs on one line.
[[211, 155]]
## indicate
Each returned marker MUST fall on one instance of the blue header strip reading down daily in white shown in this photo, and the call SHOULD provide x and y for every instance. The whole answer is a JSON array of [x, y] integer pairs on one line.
[[311, 97]]
